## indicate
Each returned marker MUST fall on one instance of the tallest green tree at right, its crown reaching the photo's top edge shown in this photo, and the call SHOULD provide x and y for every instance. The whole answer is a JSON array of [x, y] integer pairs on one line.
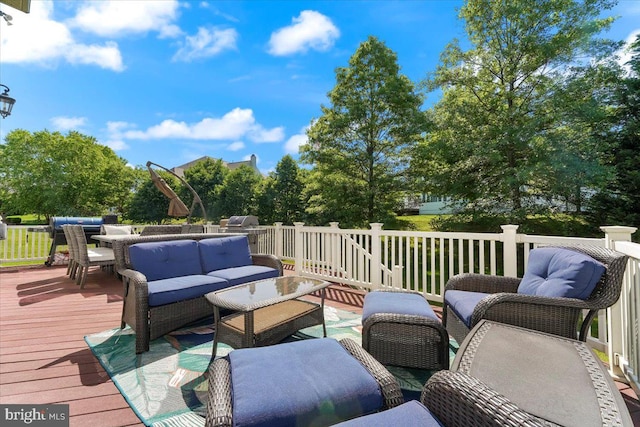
[[498, 123]]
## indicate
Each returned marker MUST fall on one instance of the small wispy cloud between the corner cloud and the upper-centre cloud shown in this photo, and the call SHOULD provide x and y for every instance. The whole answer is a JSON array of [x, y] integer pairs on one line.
[[206, 43]]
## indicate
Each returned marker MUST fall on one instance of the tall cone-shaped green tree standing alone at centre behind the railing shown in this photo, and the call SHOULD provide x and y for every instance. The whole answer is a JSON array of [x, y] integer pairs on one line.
[[360, 146]]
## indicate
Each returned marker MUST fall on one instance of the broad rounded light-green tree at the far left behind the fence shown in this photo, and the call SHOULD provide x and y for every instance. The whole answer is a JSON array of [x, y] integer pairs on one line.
[[54, 174]]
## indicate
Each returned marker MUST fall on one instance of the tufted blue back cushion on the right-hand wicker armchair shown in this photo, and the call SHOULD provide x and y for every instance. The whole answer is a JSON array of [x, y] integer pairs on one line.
[[558, 272]]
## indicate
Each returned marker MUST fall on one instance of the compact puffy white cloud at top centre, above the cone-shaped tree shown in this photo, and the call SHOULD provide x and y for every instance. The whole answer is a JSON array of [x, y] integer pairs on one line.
[[310, 30]]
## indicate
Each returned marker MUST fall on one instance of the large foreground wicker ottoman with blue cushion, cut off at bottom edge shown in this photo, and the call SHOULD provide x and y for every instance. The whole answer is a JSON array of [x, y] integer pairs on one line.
[[313, 382]]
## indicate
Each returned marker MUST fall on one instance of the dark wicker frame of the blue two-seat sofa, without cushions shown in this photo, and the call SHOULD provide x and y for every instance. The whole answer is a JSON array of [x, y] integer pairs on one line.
[[153, 322]]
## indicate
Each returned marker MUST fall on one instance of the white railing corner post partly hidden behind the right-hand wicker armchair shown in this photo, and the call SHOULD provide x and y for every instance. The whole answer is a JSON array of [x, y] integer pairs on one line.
[[615, 332]]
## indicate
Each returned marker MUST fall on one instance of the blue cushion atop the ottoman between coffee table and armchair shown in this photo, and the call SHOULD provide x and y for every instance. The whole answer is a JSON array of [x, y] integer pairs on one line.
[[397, 303]]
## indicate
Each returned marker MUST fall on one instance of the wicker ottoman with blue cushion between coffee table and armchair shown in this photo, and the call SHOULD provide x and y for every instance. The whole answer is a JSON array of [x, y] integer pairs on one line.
[[400, 328]]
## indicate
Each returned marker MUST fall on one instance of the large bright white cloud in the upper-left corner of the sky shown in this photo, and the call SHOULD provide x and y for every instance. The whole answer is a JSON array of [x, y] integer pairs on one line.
[[36, 38]]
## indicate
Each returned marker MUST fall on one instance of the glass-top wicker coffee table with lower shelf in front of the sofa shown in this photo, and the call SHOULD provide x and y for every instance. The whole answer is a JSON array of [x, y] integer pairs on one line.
[[266, 311]]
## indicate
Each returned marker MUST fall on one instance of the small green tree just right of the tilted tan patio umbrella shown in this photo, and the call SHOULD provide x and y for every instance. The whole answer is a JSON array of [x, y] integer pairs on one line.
[[206, 177]]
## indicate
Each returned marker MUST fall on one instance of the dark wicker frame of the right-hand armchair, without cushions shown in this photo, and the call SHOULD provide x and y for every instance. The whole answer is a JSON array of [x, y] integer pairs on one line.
[[554, 315]]
